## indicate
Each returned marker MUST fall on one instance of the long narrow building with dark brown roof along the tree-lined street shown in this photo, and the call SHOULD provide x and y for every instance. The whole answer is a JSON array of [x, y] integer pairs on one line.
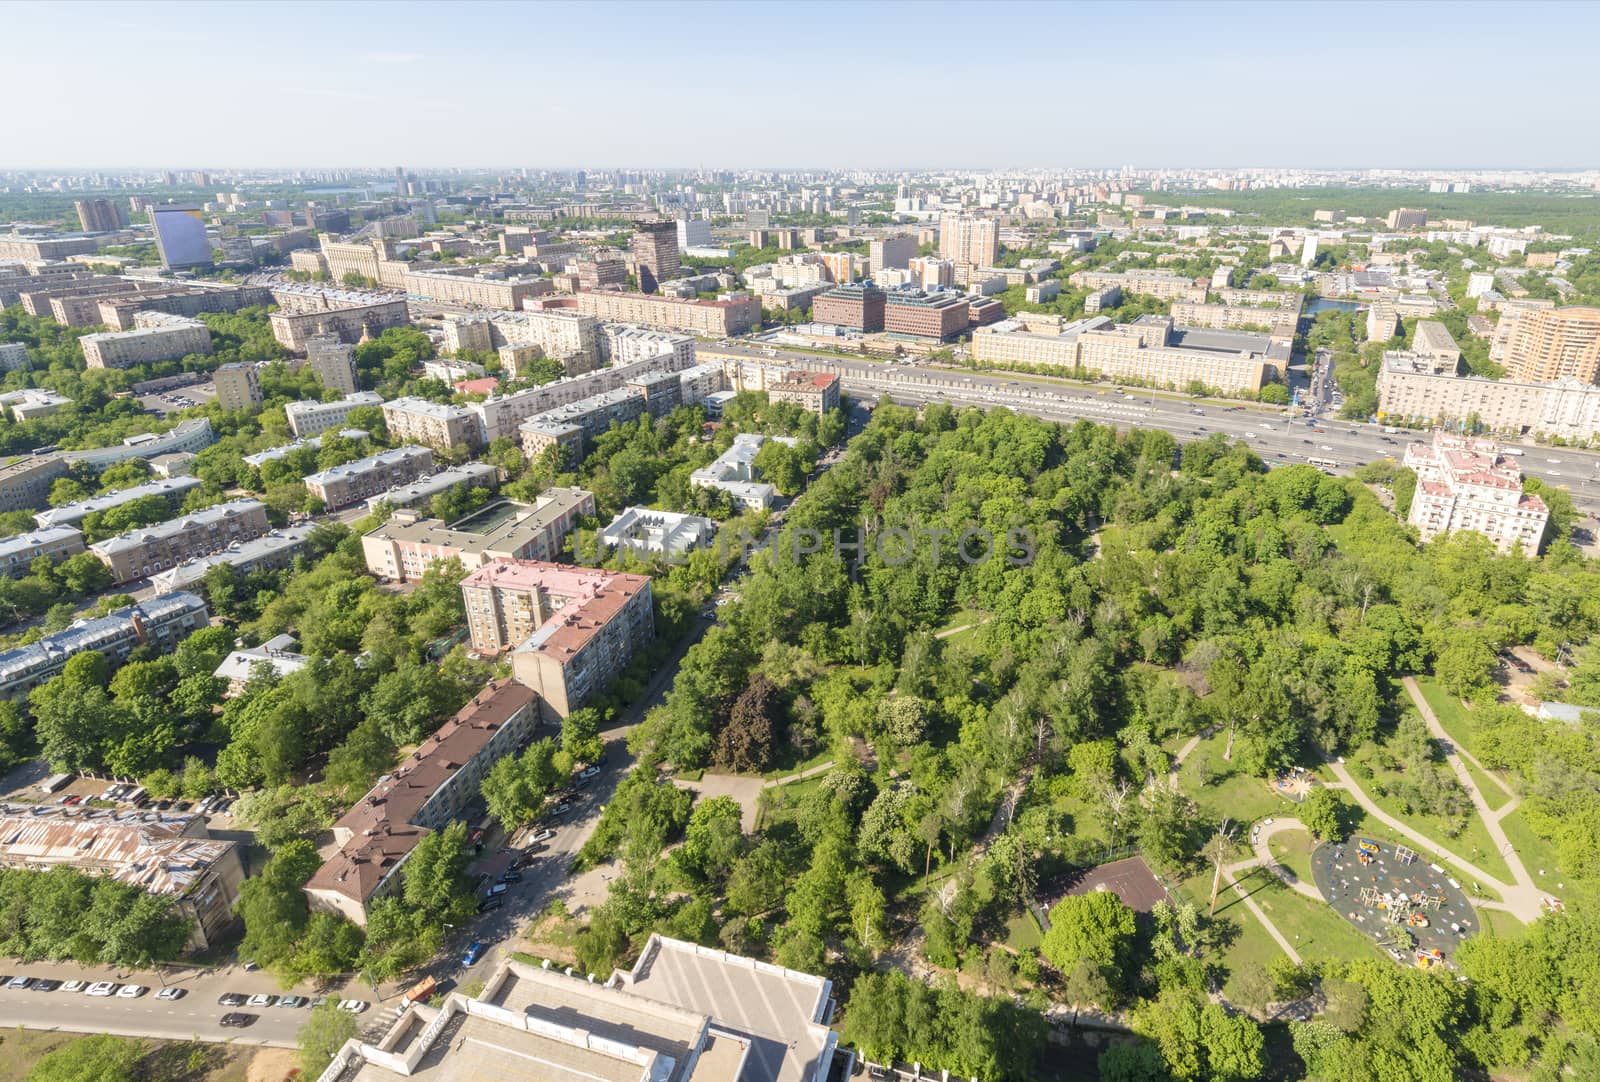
[[426, 793]]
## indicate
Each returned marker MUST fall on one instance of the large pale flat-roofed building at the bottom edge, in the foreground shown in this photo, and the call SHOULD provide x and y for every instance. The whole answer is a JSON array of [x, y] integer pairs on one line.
[[682, 1014]]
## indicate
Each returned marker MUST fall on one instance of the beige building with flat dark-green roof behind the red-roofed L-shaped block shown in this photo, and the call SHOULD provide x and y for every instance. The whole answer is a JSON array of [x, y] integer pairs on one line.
[[407, 545]]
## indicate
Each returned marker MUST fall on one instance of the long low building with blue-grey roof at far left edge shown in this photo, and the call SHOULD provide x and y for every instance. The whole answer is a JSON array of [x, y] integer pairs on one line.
[[162, 620]]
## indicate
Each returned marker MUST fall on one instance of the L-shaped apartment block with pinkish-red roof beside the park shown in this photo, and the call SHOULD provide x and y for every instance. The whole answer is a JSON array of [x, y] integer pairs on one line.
[[572, 630]]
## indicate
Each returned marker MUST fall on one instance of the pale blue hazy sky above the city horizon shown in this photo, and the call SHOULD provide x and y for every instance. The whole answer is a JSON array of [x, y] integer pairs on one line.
[[793, 86]]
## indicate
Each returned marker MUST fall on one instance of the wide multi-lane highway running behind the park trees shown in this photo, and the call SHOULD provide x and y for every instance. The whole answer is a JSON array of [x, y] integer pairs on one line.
[[1273, 436]]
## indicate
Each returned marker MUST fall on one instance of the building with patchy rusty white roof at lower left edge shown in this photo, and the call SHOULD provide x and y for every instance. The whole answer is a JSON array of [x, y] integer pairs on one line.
[[169, 856]]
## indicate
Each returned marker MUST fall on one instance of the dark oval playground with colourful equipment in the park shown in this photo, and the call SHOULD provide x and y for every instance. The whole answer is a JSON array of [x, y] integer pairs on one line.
[[1377, 884]]
